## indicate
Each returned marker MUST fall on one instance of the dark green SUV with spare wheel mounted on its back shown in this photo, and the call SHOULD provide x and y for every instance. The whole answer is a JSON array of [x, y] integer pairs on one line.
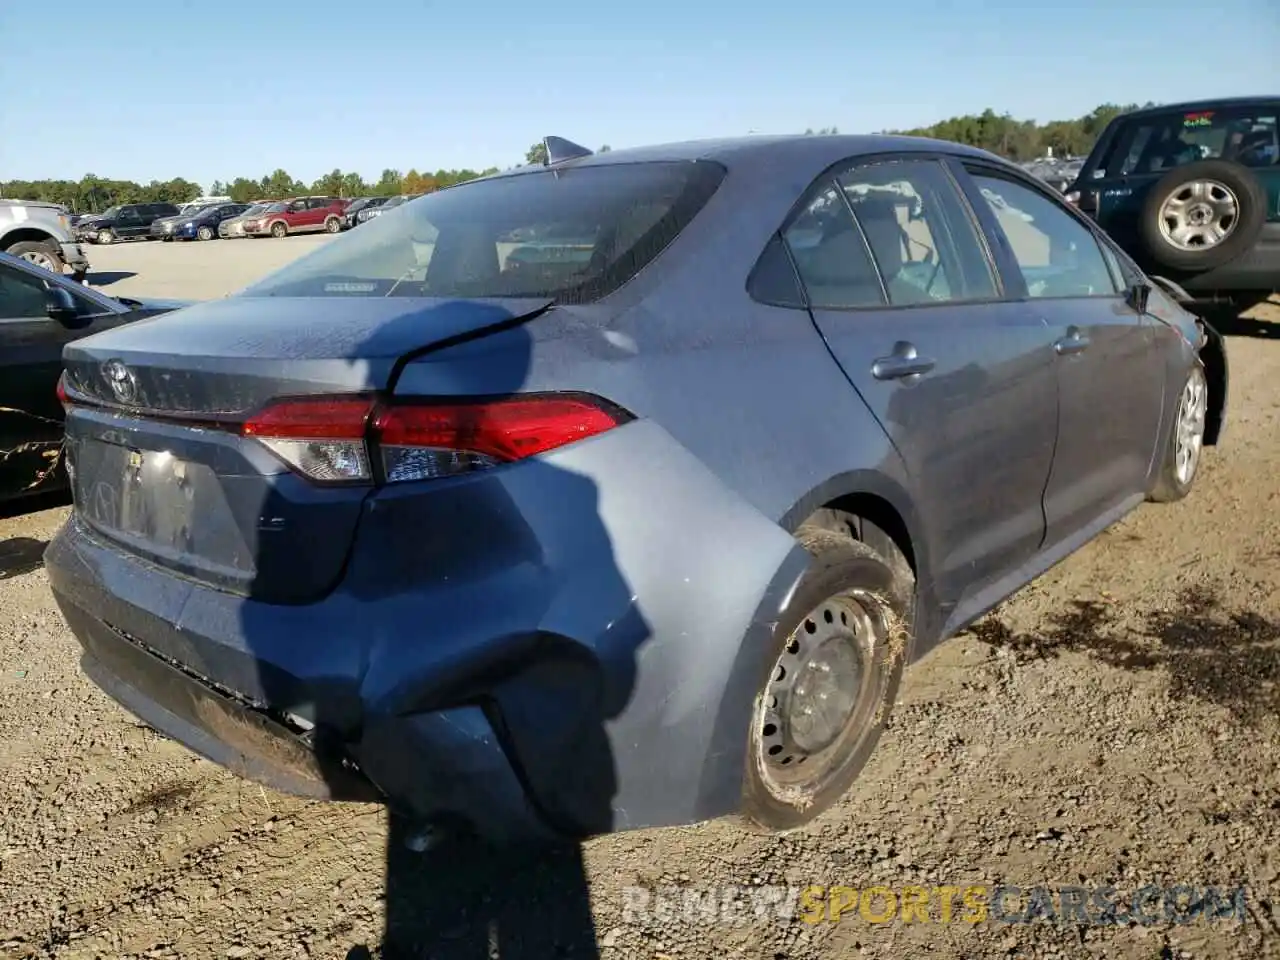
[[1192, 193]]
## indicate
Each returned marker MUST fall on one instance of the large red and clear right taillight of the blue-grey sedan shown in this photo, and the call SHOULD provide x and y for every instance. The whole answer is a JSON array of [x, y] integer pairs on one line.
[[336, 438]]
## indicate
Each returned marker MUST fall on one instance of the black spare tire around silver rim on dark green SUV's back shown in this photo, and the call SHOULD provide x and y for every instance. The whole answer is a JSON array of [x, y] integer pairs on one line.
[[1251, 204]]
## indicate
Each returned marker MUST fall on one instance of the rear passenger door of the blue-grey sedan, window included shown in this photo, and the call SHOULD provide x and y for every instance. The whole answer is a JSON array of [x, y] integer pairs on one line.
[[902, 287]]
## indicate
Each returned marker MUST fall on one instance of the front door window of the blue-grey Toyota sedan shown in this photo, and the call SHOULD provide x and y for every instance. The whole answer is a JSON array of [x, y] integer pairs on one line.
[[1057, 254]]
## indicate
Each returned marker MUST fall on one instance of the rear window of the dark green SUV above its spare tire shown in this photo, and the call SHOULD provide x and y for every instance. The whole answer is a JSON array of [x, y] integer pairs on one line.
[[1159, 143]]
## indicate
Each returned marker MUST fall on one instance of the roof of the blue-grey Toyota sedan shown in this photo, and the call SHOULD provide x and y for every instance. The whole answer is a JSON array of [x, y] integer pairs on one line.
[[804, 149]]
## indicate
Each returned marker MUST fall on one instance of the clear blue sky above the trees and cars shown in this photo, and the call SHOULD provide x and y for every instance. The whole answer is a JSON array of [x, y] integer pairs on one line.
[[214, 90]]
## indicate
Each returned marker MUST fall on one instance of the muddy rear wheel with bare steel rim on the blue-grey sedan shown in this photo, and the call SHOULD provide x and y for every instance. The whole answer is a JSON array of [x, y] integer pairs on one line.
[[839, 657]]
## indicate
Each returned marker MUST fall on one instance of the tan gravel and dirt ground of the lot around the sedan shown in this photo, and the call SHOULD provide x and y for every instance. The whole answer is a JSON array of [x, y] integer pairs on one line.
[[1116, 724]]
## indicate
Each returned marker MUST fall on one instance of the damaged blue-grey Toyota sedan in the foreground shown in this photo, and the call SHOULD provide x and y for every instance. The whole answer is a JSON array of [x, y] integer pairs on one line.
[[618, 492]]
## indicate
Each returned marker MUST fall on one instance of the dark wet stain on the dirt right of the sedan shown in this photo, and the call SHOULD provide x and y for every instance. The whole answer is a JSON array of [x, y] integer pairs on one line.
[[1210, 652]]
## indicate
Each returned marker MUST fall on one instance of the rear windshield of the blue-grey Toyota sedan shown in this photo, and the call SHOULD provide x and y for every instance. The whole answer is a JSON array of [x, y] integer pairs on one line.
[[572, 236]]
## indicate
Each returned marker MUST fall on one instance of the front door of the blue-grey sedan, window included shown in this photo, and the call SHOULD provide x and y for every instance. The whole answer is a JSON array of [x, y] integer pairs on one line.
[[1112, 377]]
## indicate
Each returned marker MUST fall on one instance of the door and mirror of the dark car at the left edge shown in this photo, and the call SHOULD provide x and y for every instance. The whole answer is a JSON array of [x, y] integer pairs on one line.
[[31, 350]]
